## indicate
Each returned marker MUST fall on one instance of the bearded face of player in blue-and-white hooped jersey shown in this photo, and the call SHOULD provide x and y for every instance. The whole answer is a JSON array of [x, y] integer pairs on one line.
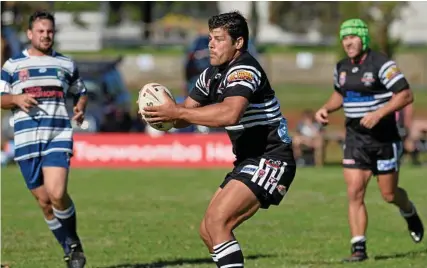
[[42, 35]]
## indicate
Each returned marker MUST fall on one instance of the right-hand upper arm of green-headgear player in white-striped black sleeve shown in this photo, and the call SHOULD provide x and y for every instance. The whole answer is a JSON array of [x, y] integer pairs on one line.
[[392, 78]]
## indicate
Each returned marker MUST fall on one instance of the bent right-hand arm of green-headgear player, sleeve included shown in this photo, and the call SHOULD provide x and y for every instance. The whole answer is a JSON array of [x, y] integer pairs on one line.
[[394, 80]]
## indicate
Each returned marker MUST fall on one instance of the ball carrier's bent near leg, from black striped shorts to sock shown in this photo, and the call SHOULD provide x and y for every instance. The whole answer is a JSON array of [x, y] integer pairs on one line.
[[249, 188]]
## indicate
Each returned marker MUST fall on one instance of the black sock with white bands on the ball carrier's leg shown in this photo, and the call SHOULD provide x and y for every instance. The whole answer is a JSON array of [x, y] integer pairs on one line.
[[229, 254]]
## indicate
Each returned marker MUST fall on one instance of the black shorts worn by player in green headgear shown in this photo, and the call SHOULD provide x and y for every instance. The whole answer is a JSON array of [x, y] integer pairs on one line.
[[380, 160]]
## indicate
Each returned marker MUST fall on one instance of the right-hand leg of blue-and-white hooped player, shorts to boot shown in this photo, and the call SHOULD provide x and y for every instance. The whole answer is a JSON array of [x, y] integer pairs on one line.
[[55, 172]]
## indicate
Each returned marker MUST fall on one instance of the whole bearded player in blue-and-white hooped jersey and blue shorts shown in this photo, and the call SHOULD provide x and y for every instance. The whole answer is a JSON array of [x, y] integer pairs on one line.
[[33, 85]]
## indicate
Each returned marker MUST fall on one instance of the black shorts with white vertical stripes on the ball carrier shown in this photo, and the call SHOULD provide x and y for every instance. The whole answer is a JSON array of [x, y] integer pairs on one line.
[[269, 179]]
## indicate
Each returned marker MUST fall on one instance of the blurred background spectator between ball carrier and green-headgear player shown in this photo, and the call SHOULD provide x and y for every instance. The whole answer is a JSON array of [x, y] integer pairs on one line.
[[309, 138]]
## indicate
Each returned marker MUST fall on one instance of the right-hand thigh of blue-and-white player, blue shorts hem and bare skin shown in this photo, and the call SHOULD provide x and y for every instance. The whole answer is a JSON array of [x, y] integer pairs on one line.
[[55, 172]]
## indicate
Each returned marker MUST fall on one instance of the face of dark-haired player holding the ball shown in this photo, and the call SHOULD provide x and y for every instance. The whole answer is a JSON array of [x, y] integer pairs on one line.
[[221, 47]]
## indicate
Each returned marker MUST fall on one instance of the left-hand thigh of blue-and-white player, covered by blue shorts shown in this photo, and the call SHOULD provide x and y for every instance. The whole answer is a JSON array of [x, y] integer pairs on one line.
[[31, 170]]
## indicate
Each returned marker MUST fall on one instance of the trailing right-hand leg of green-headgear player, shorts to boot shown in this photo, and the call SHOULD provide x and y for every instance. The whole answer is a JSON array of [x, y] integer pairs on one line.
[[388, 178]]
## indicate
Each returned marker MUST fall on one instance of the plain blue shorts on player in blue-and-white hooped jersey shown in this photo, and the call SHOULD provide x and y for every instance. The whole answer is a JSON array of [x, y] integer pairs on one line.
[[31, 168]]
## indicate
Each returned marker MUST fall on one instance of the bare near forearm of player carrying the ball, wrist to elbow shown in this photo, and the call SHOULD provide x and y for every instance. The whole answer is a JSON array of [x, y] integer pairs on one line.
[[215, 115]]
